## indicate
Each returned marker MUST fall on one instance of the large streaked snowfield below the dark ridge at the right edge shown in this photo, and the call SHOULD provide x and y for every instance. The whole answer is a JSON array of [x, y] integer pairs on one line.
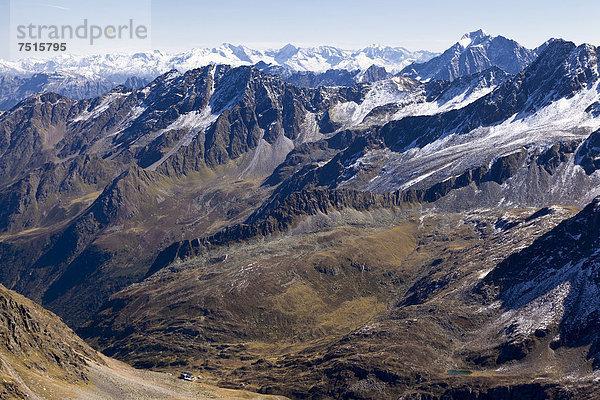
[[565, 119]]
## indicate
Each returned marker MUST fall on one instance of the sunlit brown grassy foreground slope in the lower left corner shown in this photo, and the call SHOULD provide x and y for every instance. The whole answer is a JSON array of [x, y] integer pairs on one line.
[[41, 358]]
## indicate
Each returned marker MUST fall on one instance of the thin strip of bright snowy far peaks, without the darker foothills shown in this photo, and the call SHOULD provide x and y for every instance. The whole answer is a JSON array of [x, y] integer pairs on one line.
[[118, 67]]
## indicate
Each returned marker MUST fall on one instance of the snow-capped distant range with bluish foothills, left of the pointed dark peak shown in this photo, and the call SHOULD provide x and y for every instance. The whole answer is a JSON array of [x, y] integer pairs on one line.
[[81, 77]]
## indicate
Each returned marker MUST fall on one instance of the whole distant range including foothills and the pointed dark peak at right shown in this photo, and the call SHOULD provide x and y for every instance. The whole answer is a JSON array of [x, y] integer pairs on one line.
[[81, 77]]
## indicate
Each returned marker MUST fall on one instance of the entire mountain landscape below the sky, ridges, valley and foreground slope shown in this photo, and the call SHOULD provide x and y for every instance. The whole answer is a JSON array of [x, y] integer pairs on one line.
[[305, 223]]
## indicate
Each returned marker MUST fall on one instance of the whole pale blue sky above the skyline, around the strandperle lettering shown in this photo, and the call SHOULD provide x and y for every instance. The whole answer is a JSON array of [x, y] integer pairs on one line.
[[177, 25]]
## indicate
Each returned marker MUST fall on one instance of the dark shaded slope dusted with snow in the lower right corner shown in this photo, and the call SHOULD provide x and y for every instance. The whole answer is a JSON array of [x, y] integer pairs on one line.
[[556, 277]]
